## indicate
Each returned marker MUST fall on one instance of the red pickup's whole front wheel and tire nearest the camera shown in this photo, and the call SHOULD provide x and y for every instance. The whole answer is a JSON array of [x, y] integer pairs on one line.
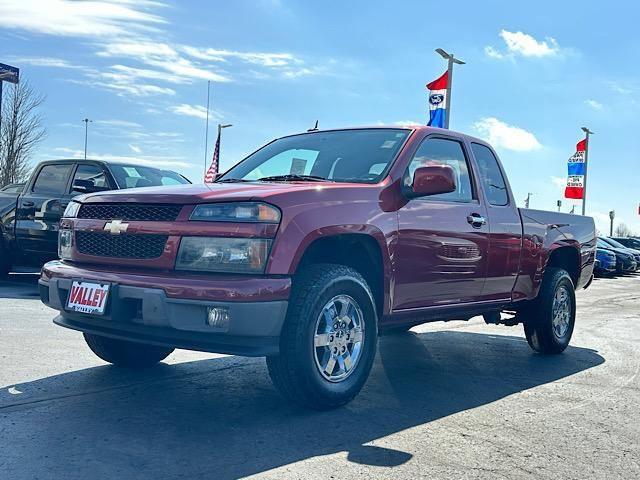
[[329, 338]]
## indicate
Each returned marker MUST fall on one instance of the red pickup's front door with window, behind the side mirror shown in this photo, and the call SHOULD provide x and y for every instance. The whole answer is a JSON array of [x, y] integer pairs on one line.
[[441, 256]]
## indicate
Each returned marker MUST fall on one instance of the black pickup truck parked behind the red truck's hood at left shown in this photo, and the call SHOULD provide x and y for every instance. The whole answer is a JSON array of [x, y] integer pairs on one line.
[[29, 216]]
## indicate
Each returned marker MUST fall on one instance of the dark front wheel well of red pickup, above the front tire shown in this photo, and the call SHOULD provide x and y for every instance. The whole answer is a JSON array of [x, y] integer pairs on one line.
[[358, 251]]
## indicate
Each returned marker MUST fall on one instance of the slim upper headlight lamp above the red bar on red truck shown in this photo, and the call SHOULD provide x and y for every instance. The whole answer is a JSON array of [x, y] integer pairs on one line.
[[236, 212]]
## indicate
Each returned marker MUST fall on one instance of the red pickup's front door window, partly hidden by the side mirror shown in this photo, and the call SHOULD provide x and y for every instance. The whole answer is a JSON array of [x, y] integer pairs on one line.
[[441, 151]]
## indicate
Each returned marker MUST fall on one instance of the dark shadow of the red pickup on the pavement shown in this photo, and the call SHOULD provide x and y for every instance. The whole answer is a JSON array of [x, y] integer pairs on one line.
[[221, 418]]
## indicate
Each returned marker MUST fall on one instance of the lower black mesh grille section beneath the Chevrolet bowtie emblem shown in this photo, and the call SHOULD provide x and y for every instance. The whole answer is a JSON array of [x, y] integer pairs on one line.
[[139, 246]]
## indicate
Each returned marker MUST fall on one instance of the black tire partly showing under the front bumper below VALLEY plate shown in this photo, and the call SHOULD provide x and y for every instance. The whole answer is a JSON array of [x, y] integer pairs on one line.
[[126, 354]]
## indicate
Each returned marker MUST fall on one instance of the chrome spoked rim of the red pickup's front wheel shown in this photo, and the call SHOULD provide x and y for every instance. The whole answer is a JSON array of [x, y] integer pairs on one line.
[[339, 338]]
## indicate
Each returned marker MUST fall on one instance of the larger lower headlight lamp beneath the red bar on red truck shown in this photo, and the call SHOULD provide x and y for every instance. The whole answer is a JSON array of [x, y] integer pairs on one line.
[[218, 254]]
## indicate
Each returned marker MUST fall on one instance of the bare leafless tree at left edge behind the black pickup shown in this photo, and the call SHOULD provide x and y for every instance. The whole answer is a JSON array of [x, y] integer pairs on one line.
[[21, 132]]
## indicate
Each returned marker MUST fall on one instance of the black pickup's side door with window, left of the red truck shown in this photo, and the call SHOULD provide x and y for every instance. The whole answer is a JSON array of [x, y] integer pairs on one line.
[[40, 208]]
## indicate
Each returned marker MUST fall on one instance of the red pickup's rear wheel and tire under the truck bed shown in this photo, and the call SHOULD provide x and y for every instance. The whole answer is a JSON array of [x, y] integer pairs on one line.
[[549, 321]]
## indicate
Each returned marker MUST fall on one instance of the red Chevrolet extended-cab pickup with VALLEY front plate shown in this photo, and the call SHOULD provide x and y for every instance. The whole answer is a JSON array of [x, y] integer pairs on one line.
[[311, 247]]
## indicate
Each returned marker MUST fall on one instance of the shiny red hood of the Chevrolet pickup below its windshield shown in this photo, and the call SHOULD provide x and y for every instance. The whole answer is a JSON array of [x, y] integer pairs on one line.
[[215, 192]]
